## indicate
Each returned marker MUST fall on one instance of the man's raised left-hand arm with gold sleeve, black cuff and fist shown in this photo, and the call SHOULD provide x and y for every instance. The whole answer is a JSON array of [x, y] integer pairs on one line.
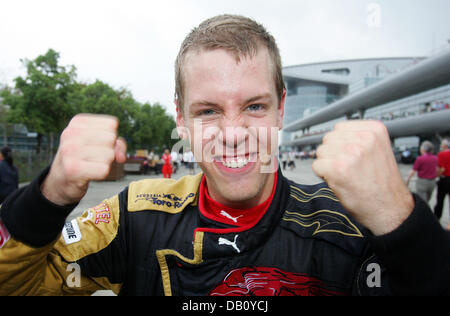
[[34, 258]]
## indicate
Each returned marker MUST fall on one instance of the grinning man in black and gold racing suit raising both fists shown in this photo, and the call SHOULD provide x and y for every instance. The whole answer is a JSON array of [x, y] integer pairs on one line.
[[240, 228]]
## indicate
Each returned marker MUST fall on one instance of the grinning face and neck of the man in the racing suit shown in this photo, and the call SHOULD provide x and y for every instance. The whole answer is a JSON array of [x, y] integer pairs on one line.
[[233, 115]]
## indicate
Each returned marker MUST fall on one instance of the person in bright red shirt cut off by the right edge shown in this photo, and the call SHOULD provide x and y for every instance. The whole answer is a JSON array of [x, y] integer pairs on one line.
[[444, 173]]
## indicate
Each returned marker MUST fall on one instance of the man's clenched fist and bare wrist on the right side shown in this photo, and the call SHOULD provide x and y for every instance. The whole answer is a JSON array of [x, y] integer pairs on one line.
[[357, 162]]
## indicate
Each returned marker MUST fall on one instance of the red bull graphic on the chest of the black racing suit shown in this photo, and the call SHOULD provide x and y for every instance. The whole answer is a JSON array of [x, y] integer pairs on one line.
[[266, 281]]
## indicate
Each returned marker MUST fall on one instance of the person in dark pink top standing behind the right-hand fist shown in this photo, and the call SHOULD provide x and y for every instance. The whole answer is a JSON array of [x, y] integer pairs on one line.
[[426, 167]]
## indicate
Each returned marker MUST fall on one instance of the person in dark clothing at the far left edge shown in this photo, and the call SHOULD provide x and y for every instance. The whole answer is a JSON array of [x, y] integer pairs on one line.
[[9, 176]]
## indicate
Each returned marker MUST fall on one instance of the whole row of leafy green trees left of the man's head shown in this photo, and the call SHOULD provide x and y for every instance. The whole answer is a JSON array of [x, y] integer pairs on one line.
[[49, 96]]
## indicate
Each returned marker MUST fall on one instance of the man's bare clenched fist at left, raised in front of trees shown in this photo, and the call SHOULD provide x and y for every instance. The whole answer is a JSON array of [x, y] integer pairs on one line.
[[88, 147]]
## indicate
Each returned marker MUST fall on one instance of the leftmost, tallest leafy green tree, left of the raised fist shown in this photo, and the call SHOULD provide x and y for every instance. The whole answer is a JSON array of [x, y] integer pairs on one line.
[[39, 100]]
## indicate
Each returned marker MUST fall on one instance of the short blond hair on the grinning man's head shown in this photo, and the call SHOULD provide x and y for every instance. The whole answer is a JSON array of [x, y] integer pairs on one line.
[[237, 34]]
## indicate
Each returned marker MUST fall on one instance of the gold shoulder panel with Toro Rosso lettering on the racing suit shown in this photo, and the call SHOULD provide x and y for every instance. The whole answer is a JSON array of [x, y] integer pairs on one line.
[[166, 195]]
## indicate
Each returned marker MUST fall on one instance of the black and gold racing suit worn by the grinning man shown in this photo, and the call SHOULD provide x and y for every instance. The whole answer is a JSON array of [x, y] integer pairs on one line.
[[151, 239]]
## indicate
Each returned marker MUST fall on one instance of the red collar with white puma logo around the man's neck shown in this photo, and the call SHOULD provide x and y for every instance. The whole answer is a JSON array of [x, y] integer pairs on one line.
[[242, 219]]
